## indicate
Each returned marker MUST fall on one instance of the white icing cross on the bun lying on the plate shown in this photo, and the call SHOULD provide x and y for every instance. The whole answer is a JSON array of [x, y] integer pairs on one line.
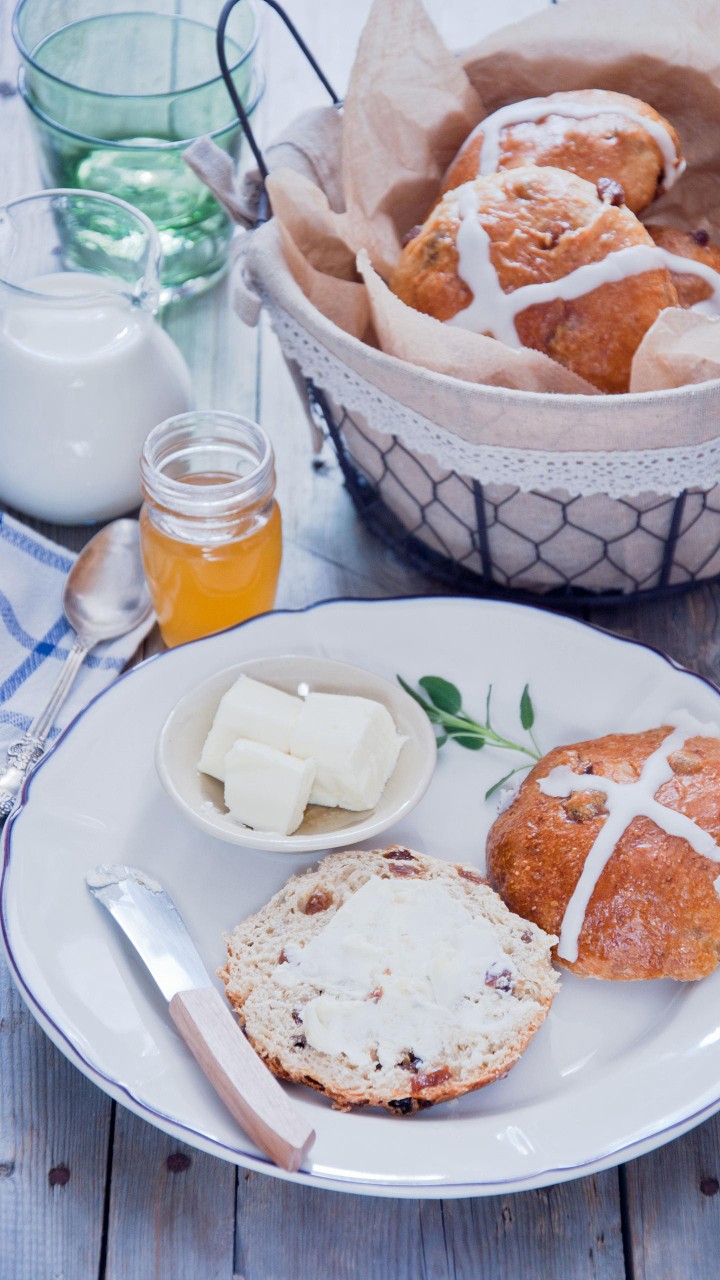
[[626, 802]]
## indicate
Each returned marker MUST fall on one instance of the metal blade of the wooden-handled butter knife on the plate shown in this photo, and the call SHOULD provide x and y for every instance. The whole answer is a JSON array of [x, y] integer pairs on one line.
[[153, 924]]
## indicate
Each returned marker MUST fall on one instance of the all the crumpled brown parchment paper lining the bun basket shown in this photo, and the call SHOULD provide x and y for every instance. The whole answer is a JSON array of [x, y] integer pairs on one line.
[[409, 107]]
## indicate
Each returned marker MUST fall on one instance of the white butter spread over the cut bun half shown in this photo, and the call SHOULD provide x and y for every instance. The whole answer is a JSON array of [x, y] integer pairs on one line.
[[427, 956]]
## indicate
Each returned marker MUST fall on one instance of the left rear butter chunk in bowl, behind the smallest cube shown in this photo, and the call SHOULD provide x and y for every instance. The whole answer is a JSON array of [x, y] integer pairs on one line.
[[254, 711]]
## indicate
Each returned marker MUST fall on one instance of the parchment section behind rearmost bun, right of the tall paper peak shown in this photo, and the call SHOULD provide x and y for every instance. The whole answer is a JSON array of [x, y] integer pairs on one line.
[[666, 52]]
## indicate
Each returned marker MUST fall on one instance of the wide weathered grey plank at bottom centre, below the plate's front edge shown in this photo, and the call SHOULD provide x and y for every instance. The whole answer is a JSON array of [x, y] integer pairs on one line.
[[568, 1231]]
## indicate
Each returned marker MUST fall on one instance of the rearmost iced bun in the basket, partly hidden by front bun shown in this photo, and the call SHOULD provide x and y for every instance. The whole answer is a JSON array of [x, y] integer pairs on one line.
[[625, 141]]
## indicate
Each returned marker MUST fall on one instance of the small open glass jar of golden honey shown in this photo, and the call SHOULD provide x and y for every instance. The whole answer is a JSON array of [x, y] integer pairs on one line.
[[211, 528]]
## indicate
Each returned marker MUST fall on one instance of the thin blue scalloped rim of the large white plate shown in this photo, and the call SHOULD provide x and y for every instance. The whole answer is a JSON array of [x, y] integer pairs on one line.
[[326, 1177]]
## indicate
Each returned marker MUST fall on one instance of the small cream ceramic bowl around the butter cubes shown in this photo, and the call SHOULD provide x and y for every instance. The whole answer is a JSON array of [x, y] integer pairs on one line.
[[200, 797]]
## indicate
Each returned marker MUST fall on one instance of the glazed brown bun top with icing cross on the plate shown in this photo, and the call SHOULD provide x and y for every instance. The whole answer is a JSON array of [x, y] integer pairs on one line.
[[654, 911]]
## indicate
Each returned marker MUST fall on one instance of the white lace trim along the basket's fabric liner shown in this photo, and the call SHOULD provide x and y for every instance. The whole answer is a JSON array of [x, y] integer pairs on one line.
[[582, 474]]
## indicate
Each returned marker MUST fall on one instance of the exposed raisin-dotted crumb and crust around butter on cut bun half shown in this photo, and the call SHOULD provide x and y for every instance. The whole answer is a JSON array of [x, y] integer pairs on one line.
[[302, 911]]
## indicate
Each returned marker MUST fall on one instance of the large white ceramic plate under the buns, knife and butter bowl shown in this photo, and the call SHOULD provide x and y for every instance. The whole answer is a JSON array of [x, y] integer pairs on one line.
[[617, 1069]]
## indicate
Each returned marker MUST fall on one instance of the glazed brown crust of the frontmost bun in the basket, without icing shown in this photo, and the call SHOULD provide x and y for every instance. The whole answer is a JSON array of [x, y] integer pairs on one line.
[[544, 225]]
